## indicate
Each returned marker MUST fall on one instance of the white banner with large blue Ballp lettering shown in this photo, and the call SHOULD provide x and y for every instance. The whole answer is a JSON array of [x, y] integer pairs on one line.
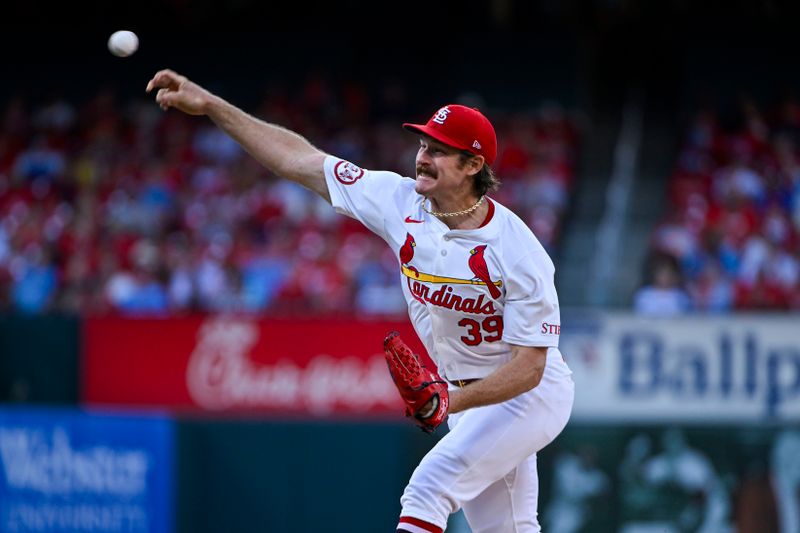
[[703, 369]]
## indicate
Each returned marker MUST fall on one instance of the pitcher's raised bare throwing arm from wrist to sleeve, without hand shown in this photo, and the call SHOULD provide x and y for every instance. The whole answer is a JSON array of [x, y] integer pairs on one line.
[[282, 151]]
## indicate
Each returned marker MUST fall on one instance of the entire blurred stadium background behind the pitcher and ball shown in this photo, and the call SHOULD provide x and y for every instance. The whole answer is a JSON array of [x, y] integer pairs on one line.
[[190, 344]]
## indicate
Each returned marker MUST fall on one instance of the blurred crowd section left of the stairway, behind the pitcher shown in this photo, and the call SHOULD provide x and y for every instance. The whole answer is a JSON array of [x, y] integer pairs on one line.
[[113, 206]]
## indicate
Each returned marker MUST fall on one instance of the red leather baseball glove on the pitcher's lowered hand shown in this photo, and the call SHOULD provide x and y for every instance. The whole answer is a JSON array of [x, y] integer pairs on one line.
[[417, 384]]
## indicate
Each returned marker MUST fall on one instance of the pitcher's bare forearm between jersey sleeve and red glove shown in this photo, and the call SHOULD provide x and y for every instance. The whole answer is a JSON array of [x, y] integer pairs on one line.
[[522, 373]]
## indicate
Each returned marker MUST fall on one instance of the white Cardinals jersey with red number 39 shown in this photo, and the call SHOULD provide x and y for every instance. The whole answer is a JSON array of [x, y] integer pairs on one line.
[[470, 293]]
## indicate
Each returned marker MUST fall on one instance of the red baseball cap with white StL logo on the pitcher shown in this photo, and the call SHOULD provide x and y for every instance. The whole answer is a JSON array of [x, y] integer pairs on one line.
[[461, 127]]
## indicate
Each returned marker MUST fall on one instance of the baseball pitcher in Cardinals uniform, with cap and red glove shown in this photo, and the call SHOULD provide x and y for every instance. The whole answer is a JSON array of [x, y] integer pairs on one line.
[[480, 295]]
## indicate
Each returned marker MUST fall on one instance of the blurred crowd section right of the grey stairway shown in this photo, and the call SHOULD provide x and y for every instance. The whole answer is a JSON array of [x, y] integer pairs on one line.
[[731, 240]]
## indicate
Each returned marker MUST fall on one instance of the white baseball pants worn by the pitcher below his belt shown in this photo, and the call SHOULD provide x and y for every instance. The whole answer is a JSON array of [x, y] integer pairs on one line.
[[486, 464]]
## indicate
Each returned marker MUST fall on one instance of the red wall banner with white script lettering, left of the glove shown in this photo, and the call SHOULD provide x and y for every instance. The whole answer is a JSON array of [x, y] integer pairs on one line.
[[223, 364]]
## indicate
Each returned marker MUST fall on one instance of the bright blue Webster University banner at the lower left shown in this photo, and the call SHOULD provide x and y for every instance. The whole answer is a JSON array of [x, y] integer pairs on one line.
[[69, 471]]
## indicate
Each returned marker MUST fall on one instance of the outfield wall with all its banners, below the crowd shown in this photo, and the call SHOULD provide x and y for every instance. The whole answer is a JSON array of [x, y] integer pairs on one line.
[[679, 425]]
